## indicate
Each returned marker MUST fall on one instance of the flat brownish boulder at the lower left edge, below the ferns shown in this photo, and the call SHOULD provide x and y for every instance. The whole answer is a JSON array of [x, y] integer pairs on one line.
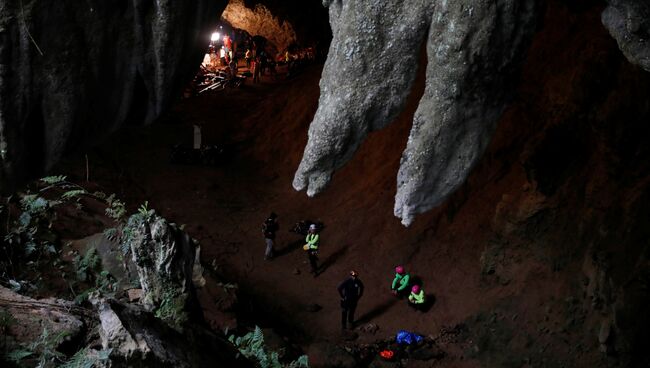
[[27, 318]]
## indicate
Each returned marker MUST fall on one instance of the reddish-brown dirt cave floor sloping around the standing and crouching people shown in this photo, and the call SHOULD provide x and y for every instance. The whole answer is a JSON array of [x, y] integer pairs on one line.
[[223, 207]]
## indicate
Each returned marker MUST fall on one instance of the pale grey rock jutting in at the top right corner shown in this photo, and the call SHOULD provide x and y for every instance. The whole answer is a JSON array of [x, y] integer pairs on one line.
[[628, 21]]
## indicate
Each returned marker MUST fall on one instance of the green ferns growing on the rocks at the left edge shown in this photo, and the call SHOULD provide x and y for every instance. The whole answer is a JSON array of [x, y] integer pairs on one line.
[[29, 242]]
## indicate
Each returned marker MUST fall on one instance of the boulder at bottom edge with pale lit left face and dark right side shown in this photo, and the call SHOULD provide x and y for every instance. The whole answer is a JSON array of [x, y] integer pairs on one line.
[[135, 335]]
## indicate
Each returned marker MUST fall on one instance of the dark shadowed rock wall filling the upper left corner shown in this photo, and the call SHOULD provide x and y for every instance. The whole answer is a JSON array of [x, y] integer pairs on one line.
[[72, 72]]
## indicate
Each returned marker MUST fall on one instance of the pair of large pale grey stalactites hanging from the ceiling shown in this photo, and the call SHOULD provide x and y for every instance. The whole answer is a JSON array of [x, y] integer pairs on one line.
[[472, 50]]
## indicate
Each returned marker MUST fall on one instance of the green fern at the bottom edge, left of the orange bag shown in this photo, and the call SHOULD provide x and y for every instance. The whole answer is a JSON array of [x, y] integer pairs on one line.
[[252, 346]]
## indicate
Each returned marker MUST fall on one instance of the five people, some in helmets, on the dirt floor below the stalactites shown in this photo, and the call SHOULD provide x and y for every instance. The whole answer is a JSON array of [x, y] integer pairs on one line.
[[351, 289]]
